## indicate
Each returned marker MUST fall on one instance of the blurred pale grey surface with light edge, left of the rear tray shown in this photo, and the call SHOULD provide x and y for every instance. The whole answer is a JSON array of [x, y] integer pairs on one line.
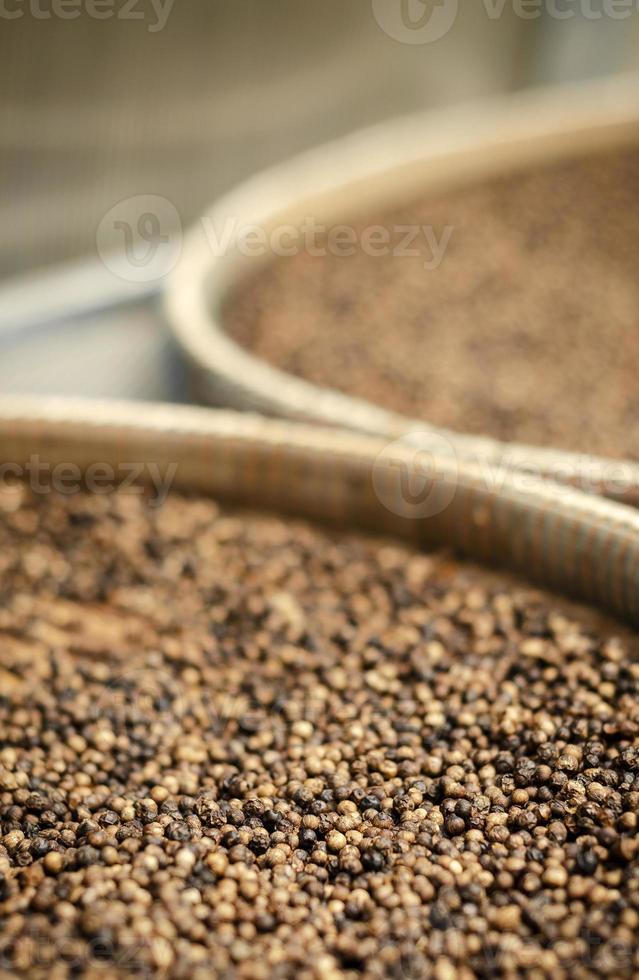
[[77, 331]]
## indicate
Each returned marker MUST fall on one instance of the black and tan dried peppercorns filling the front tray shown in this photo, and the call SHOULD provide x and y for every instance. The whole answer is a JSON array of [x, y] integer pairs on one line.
[[234, 745]]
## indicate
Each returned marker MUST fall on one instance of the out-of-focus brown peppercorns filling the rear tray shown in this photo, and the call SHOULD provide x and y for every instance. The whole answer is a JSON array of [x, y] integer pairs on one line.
[[526, 330]]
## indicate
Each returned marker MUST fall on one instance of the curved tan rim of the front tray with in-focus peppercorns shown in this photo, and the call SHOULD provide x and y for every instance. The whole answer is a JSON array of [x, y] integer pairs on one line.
[[564, 539]]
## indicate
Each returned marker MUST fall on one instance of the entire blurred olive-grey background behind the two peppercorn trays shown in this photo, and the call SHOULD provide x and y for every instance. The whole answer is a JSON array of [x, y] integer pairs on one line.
[[184, 99]]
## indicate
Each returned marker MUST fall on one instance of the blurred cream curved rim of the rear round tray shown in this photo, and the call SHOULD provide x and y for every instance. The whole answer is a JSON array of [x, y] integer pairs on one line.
[[372, 170]]
